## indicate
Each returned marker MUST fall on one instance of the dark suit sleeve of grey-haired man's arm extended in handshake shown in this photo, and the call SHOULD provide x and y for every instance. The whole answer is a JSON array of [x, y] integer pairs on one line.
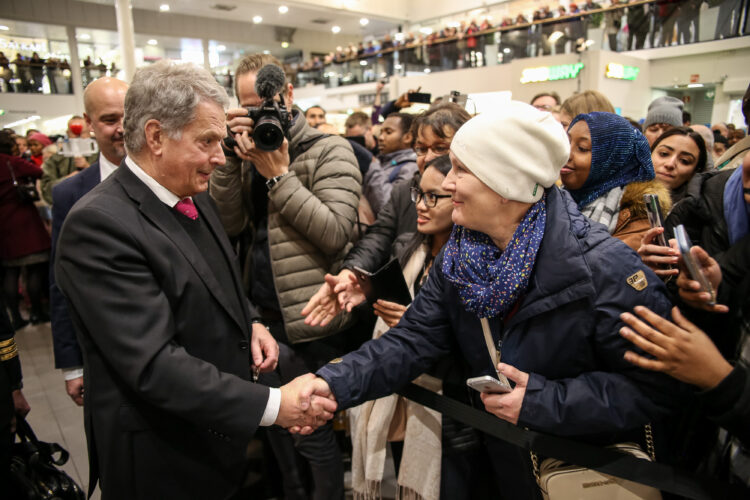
[[119, 304]]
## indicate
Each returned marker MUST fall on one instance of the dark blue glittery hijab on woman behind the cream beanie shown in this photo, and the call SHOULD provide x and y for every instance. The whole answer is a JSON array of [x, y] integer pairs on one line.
[[619, 155]]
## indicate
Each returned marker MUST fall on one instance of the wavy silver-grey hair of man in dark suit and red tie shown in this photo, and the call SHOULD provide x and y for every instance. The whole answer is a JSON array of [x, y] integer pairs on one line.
[[167, 92]]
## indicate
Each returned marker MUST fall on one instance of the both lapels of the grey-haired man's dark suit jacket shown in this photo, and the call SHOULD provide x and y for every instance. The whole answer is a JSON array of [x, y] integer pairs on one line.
[[158, 213]]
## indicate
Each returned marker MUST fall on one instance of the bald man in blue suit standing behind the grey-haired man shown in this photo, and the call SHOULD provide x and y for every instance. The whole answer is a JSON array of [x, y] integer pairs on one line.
[[104, 102]]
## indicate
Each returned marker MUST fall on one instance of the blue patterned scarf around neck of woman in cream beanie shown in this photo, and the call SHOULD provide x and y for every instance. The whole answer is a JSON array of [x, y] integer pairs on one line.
[[490, 284]]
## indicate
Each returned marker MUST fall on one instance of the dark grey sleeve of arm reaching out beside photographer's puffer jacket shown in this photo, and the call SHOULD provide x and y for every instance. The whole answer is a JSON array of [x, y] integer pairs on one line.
[[373, 250]]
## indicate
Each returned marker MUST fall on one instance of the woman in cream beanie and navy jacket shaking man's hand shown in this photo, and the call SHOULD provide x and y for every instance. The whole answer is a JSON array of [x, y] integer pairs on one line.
[[526, 274]]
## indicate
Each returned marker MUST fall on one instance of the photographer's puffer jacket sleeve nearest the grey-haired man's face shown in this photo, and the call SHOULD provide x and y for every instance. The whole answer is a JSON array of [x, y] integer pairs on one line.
[[226, 191]]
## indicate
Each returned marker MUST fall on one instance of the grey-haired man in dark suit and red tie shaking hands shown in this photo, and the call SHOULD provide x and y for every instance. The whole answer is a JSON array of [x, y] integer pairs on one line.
[[169, 341]]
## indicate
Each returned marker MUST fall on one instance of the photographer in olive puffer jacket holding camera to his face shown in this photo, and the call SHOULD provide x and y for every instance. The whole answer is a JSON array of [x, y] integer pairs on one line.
[[298, 205]]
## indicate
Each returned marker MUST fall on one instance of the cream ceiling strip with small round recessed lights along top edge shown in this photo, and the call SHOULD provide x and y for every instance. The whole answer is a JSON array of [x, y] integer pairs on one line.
[[298, 16]]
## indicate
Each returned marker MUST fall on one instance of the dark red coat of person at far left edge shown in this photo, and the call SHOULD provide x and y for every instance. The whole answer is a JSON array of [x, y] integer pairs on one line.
[[22, 231]]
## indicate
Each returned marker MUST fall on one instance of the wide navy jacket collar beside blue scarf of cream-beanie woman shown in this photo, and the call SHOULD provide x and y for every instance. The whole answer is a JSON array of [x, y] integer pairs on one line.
[[561, 274]]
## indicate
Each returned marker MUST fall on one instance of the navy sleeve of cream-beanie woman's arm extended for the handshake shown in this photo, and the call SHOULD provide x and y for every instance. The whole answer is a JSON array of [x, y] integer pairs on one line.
[[384, 365]]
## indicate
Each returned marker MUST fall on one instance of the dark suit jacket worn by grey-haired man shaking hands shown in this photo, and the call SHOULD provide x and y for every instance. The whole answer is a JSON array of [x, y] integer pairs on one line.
[[168, 407]]
